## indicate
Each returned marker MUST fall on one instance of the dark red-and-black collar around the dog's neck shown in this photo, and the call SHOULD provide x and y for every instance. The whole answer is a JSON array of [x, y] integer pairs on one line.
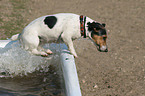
[[82, 25]]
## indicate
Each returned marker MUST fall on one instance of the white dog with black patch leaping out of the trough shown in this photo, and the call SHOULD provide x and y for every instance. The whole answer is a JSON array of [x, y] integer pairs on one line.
[[65, 26]]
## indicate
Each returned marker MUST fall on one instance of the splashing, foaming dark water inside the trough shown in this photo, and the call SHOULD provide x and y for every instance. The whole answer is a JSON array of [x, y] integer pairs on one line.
[[23, 74]]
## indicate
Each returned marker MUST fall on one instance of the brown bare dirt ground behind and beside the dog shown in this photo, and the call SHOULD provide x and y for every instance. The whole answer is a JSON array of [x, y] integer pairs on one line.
[[119, 72]]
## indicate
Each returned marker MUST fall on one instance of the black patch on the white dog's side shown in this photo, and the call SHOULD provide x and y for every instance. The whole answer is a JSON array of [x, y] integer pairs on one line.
[[50, 21]]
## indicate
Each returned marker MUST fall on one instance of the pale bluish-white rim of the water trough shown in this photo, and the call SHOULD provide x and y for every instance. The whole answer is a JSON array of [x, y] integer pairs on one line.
[[72, 87]]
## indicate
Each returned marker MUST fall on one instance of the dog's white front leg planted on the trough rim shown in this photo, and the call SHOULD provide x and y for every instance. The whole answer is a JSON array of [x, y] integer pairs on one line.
[[69, 43]]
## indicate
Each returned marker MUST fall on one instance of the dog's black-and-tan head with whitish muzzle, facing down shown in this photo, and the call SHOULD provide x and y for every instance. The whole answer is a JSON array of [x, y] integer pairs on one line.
[[98, 35]]
